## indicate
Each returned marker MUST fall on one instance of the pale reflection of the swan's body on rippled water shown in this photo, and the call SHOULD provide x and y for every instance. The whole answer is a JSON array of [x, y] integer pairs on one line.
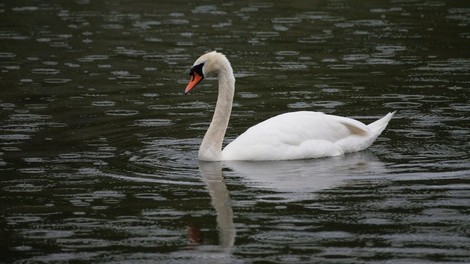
[[300, 178]]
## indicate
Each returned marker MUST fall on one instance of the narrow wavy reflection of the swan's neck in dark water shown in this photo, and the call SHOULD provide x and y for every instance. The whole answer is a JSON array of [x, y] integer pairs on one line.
[[212, 177]]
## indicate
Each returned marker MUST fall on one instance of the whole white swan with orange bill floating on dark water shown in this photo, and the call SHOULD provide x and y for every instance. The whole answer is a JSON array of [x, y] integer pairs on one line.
[[296, 135]]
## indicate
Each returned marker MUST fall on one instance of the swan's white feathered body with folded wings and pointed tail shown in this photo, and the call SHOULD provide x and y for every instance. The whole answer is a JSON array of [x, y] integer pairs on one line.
[[303, 135]]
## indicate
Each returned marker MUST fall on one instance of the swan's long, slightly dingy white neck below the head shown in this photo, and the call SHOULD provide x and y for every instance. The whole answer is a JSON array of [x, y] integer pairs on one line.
[[211, 146]]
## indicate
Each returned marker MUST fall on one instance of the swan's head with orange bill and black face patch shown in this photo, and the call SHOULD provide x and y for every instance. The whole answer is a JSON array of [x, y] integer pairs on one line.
[[210, 63]]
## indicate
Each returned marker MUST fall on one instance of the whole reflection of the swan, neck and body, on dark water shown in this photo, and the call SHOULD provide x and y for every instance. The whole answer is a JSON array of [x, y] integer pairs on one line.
[[294, 180]]
